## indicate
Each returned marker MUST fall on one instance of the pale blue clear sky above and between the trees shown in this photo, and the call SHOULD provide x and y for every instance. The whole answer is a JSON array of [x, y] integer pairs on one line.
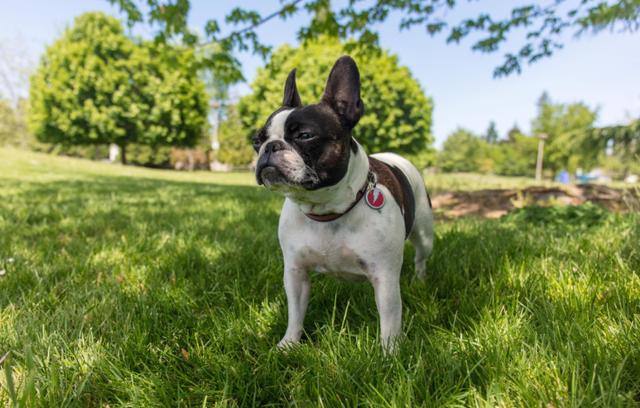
[[602, 71]]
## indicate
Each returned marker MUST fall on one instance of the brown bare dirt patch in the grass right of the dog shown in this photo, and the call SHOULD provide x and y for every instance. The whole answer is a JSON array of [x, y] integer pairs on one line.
[[498, 202]]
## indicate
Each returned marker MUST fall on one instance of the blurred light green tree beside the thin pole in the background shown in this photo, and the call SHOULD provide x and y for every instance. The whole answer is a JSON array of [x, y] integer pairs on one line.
[[563, 124]]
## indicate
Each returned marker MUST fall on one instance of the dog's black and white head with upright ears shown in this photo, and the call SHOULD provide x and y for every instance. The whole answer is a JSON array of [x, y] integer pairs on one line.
[[308, 147]]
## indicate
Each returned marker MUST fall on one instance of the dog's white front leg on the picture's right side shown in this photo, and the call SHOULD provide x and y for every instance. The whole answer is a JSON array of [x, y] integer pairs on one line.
[[389, 303]]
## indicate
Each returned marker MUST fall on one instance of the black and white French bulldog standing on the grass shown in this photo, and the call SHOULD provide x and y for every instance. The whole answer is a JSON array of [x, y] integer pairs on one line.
[[345, 213]]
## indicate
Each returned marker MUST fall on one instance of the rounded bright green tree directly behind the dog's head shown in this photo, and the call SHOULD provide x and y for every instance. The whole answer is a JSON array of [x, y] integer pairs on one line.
[[397, 113]]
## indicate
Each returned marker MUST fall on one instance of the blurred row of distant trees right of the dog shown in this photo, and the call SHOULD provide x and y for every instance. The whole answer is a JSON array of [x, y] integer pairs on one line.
[[572, 143]]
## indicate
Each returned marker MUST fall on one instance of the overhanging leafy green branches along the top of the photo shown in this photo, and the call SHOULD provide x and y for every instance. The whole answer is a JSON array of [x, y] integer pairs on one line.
[[539, 28]]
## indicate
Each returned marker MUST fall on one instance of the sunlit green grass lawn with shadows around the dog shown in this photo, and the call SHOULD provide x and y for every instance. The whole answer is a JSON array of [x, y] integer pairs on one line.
[[134, 287]]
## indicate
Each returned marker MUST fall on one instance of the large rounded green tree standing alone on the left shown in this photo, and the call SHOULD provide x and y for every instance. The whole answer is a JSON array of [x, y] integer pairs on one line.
[[96, 86]]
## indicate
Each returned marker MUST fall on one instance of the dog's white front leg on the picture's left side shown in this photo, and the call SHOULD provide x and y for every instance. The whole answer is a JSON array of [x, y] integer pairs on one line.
[[297, 286]]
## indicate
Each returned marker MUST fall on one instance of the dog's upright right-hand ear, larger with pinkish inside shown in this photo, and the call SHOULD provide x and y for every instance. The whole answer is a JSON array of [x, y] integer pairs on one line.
[[342, 92]]
